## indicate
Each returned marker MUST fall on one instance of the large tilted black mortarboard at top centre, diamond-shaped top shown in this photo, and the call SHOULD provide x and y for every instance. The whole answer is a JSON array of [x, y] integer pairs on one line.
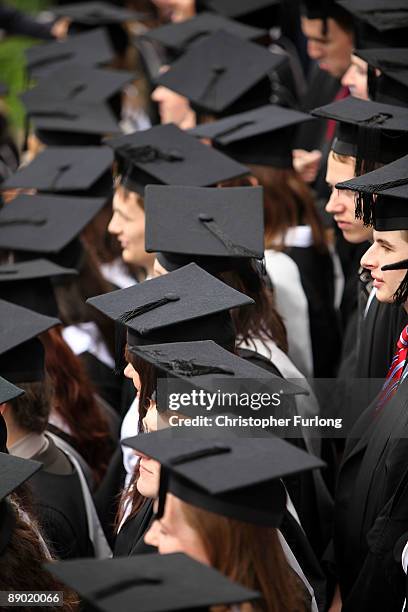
[[210, 74]]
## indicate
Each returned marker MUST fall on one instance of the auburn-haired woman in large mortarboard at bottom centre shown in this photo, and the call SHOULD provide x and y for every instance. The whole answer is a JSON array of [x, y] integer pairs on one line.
[[229, 525]]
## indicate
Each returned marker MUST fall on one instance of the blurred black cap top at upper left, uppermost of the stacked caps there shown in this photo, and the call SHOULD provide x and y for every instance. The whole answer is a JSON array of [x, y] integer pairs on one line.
[[91, 48]]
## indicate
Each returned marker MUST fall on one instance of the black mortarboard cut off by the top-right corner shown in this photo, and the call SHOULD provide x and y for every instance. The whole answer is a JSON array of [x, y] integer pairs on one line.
[[378, 23]]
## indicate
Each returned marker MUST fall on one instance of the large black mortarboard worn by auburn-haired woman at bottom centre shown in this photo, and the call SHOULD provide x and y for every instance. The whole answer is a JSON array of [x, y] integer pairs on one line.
[[237, 477]]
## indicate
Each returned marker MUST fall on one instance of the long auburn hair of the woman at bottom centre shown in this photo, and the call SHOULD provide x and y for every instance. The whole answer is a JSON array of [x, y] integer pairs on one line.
[[250, 555]]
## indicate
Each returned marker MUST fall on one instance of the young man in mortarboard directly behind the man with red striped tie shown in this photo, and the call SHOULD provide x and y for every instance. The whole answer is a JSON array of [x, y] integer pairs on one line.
[[368, 135]]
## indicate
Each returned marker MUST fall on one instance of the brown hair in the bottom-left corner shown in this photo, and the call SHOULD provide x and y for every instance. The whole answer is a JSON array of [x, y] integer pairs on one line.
[[21, 566]]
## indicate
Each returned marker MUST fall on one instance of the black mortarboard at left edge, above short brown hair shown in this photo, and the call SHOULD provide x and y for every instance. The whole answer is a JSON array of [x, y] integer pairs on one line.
[[21, 353]]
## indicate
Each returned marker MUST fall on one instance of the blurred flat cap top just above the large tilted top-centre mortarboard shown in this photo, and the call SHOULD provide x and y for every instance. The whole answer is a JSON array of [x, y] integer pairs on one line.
[[178, 37]]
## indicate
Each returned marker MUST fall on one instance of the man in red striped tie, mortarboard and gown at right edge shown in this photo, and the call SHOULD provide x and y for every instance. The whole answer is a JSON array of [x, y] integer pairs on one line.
[[371, 494]]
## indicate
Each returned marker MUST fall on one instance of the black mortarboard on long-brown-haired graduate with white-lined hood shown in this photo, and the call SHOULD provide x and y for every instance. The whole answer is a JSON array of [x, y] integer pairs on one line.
[[264, 136]]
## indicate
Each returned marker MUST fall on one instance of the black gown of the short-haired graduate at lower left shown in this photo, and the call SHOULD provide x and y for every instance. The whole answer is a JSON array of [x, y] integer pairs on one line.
[[59, 506]]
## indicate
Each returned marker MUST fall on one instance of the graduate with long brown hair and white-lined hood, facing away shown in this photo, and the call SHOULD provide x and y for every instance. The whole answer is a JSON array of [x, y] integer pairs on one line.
[[303, 280]]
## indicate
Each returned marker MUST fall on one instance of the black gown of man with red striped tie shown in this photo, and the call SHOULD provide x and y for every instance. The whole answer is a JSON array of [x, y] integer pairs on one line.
[[367, 526]]
